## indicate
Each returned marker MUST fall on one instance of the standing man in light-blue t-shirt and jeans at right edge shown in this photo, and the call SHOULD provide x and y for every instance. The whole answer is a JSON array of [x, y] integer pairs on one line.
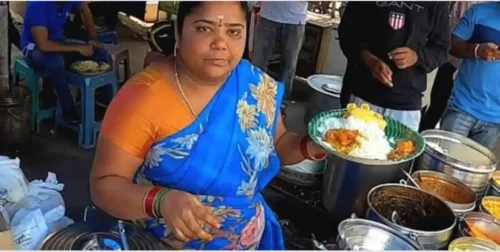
[[474, 106]]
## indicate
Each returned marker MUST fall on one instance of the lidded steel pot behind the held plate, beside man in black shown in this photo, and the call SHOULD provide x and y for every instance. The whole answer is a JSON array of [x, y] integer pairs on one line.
[[324, 95]]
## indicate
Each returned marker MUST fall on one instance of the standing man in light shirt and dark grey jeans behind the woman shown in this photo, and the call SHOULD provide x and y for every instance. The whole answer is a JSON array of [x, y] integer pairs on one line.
[[283, 21]]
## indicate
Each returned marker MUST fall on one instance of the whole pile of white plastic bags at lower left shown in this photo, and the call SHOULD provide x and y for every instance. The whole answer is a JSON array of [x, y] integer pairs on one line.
[[32, 209]]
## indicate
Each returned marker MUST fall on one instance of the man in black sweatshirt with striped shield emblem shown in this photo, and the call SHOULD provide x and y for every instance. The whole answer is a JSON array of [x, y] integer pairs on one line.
[[390, 48]]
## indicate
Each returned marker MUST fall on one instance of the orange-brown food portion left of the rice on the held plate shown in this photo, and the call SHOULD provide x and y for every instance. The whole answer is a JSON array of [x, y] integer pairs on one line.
[[343, 140]]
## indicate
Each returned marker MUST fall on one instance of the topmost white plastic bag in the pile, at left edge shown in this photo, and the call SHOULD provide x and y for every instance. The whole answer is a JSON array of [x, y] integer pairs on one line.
[[13, 179]]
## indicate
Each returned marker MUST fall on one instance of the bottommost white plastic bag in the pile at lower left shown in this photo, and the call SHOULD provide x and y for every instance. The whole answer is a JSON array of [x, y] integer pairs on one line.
[[29, 229]]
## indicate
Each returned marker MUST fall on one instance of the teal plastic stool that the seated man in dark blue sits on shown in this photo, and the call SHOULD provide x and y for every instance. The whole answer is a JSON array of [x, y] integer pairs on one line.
[[32, 78]]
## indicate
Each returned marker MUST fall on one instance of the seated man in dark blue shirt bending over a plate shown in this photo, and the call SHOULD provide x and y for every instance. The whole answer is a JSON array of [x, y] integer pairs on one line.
[[45, 46]]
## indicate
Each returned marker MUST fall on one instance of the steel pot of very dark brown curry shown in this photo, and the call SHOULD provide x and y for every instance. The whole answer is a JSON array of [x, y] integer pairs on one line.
[[413, 212]]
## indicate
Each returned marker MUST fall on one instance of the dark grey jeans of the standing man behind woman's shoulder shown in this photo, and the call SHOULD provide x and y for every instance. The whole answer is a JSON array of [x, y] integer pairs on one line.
[[290, 37]]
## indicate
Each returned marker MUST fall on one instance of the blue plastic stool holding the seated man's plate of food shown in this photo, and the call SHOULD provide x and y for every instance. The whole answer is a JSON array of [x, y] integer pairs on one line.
[[88, 128]]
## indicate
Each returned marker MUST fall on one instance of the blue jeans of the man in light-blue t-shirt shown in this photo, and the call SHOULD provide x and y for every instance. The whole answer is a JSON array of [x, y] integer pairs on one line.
[[457, 121]]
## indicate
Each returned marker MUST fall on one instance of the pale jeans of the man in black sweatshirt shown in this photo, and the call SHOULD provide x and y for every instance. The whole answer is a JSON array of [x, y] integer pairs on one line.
[[410, 118]]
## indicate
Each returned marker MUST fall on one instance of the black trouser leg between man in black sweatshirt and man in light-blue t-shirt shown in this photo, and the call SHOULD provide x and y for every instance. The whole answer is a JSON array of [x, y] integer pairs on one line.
[[440, 93]]
